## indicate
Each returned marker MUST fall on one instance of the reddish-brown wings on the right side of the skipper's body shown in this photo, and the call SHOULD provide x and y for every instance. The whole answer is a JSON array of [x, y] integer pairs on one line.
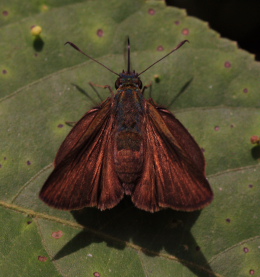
[[174, 168]]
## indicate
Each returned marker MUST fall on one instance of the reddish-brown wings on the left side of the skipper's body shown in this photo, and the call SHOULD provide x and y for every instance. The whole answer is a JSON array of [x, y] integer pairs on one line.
[[84, 173]]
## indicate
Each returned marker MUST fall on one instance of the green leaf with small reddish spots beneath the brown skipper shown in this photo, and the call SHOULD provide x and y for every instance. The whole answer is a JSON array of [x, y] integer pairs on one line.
[[210, 85]]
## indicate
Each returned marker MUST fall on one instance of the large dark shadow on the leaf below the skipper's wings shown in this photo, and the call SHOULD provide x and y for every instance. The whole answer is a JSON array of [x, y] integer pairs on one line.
[[166, 232]]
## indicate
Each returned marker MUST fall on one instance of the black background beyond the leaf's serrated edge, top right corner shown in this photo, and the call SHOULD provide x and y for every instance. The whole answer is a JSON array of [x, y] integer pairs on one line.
[[238, 20]]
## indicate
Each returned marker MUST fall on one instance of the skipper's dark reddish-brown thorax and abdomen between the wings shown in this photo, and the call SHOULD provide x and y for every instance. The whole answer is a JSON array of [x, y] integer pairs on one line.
[[128, 147]]
